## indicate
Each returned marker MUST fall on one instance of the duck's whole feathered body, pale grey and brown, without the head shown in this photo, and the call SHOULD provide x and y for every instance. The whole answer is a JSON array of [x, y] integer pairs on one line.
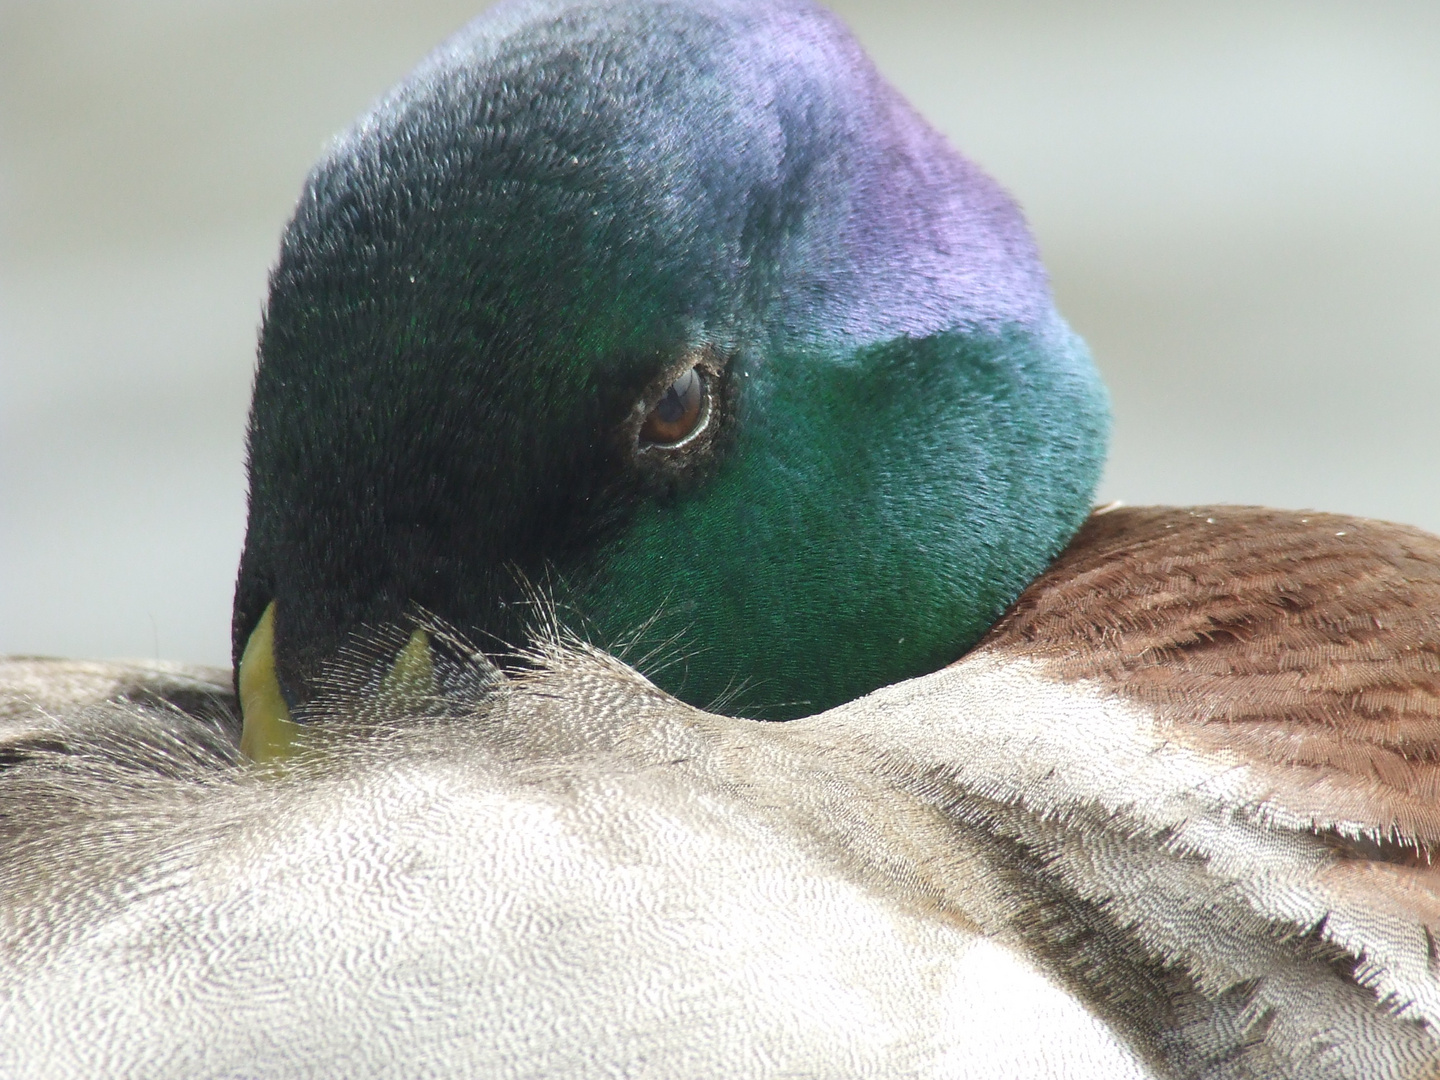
[[1163, 822]]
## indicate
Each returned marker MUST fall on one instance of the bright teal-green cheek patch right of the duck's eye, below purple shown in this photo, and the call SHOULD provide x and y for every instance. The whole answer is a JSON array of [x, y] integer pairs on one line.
[[876, 516]]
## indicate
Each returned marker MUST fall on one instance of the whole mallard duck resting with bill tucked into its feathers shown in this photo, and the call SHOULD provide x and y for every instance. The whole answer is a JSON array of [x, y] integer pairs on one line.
[[666, 330]]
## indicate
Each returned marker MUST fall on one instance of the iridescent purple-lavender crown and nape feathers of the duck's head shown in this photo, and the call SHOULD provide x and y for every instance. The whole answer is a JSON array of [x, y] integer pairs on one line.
[[754, 106]]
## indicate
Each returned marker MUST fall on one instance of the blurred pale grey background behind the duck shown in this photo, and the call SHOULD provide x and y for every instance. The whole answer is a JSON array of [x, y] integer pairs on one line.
[[1239, 204]]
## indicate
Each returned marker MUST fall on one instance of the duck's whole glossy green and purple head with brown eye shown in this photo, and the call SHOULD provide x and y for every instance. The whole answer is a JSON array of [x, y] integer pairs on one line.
[[678, 310]]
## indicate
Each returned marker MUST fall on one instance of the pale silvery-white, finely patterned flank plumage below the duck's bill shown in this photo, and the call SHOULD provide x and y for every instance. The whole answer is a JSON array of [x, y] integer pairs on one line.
[[585, 879]]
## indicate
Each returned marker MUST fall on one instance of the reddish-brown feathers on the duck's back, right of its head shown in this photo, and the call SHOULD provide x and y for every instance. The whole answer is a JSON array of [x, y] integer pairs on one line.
[[1302, 643]]
